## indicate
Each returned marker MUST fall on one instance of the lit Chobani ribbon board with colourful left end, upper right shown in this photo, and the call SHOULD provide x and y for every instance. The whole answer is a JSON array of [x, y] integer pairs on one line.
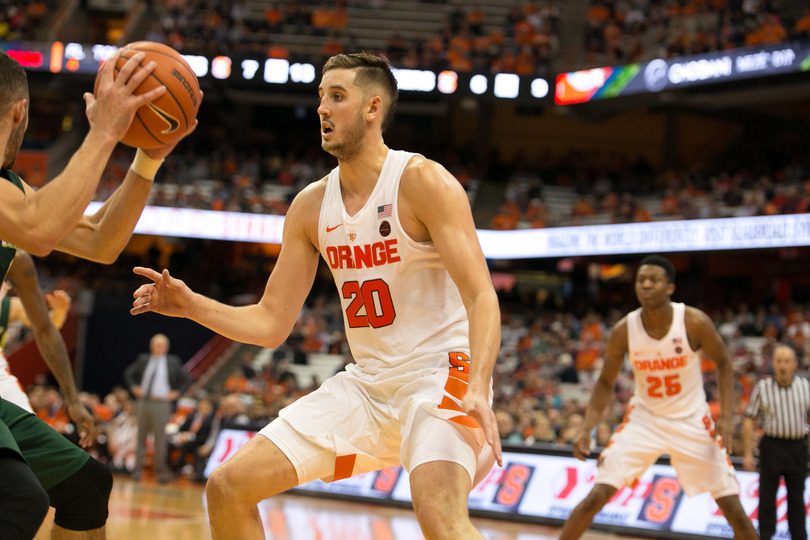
[[681, 72]]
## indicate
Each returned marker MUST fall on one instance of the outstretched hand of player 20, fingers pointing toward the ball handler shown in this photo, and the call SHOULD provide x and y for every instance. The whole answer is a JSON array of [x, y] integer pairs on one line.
[[165, 295]]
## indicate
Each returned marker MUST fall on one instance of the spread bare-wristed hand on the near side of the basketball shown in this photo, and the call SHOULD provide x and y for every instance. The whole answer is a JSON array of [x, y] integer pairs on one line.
[[113, 106]]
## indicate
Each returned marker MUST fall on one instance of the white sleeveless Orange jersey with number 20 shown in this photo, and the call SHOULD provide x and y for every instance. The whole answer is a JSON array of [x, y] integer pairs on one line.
[[401, 309]]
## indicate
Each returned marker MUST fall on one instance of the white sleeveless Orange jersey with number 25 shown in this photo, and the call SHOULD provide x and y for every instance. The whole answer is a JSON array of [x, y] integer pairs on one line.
[[669, 382]]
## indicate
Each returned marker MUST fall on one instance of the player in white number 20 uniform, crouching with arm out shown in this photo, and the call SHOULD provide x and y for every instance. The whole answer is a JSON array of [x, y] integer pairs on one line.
[[420, 313]]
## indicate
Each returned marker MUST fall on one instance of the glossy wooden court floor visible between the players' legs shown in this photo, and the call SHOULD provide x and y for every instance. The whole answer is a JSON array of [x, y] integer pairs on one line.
[[147, 510]]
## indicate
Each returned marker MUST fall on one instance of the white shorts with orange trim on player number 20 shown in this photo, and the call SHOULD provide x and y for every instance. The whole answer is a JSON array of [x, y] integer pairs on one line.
[[355, 423]]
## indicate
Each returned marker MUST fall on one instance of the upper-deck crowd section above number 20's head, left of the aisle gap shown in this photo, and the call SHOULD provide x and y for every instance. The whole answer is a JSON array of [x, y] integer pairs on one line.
[[524, 42]]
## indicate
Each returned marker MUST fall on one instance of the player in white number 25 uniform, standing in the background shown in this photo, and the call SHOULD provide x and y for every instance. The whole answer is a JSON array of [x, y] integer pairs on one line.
[[668, 413]]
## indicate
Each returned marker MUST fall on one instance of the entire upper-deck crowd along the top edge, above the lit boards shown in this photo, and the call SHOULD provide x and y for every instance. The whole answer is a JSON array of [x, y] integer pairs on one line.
[[525, 41]]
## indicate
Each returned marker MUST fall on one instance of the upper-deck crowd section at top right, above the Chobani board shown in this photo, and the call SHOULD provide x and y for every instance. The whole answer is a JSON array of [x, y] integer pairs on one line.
[[626, 31]]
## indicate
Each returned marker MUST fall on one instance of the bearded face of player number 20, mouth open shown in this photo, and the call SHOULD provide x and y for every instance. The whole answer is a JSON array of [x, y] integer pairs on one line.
[[340, 111]]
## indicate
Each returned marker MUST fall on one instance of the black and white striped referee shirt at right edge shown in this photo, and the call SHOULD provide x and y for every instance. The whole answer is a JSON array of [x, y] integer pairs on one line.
[[784, 409]]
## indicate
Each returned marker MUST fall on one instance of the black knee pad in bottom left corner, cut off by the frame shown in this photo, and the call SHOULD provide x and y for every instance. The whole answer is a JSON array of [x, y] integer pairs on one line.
[[23, 501]]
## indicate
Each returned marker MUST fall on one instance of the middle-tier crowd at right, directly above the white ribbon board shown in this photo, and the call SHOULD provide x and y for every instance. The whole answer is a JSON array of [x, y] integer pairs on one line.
[[613, 190]]
